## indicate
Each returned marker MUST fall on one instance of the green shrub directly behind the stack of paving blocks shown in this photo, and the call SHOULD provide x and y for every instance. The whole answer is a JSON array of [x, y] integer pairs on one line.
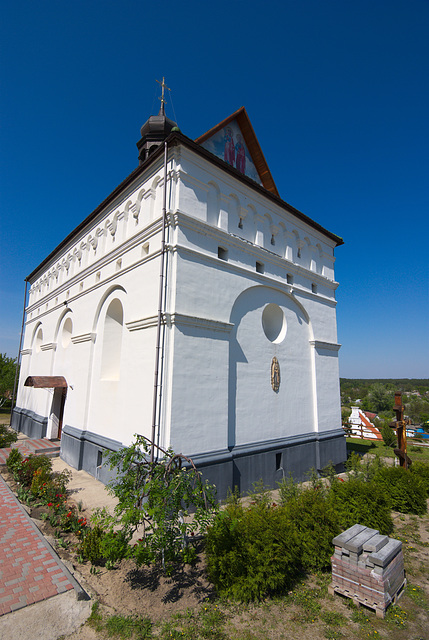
[[366, 503]]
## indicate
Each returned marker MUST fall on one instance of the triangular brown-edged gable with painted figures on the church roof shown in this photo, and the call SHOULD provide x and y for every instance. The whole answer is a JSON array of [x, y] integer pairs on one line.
[[234, 141]]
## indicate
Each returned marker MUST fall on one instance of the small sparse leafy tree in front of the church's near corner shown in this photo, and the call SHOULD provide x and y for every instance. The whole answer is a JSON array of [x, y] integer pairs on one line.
[[157, 497]]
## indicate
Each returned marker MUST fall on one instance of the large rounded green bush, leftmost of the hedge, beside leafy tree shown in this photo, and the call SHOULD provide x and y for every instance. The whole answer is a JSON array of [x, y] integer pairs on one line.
[[252, 552]]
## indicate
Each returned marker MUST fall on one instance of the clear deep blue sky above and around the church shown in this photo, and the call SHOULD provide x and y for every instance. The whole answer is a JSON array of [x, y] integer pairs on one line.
[[337, 93]]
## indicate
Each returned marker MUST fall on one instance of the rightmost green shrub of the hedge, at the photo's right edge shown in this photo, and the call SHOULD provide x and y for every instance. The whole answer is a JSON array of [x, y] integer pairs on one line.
[[406, 492]]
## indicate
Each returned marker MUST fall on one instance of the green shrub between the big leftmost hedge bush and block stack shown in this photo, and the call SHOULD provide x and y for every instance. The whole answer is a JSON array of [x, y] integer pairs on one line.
[[316, 522]]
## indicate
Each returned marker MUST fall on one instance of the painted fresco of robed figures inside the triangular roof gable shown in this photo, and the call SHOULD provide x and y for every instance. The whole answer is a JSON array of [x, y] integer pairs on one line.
[[228, 145]]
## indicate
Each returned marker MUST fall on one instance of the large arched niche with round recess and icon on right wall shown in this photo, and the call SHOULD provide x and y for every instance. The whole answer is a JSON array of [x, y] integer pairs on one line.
[[269, 324]]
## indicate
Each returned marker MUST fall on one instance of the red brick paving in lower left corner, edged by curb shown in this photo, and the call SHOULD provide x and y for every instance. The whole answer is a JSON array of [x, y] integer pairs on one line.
[[30, 570]]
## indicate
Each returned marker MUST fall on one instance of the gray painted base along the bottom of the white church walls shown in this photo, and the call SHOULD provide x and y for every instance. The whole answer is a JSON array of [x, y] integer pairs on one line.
[[240, 467]]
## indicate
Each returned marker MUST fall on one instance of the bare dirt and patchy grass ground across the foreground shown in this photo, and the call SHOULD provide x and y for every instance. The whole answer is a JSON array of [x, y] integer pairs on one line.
[[128, 590]]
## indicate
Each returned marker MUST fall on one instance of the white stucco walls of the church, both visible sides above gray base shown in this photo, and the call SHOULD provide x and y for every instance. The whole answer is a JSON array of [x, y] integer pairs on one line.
[[216, 368]]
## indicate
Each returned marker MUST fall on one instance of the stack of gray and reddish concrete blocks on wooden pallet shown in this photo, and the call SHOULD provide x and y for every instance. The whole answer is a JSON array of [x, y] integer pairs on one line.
[[368, 568]]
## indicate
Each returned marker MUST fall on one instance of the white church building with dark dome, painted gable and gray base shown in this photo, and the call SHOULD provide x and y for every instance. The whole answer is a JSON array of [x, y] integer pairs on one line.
[[193, 306]]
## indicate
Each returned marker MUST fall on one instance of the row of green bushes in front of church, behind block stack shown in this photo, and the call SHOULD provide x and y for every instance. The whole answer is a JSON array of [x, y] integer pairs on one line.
[[259, 550]]
